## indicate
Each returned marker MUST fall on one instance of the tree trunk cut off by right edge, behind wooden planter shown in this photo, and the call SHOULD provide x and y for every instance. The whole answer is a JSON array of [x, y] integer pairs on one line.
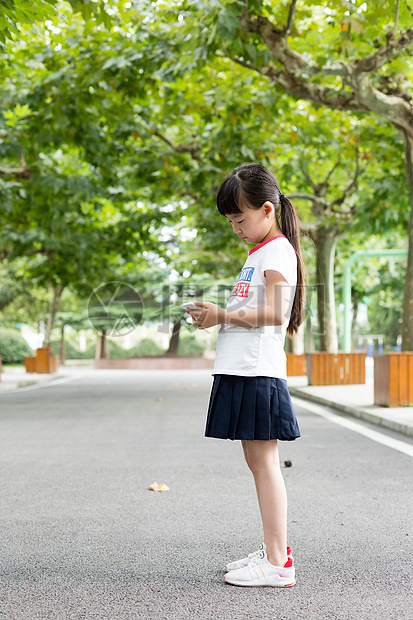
[[407, 326]]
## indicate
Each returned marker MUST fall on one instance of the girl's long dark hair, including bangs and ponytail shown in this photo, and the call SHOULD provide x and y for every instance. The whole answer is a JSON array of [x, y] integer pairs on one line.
[[249, 186]]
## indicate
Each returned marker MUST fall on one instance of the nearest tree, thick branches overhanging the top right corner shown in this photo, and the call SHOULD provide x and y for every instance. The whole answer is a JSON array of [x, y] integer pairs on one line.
[[331, 56]]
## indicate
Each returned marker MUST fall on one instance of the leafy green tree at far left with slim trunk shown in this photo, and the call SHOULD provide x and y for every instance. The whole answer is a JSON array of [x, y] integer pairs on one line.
[[63, 203]]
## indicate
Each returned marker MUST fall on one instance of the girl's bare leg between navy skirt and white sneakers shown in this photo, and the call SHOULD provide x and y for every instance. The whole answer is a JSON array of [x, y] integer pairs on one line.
[[263, 460]]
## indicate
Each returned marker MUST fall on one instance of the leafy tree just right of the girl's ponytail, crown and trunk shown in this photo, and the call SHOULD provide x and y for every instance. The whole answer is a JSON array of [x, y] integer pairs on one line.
[[353, 180]]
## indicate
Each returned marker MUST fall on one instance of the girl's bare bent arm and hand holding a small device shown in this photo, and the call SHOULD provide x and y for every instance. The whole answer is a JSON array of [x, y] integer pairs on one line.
[[275, 312]]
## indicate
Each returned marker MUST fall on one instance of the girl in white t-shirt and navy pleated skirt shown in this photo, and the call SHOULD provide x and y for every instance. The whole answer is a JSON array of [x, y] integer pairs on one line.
[[249, 398]]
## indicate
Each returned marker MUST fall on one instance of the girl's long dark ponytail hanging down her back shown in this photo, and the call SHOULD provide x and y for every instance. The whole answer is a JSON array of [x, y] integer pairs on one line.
[[290, 226]]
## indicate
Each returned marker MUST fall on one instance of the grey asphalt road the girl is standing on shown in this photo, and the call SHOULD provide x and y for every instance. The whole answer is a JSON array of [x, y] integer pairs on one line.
[[82, 537]]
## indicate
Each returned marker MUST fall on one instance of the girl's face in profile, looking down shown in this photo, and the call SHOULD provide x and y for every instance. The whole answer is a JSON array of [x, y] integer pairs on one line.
[[255, 225]]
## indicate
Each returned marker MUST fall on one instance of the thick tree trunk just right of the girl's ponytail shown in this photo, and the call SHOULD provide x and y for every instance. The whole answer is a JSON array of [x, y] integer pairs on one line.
[[325, 240]]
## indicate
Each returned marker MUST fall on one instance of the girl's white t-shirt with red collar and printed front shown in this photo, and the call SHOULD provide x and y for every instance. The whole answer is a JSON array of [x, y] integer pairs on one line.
[[257, 351]]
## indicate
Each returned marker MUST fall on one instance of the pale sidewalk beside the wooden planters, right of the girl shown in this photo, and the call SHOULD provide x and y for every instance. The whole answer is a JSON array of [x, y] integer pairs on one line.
[[356, 400]]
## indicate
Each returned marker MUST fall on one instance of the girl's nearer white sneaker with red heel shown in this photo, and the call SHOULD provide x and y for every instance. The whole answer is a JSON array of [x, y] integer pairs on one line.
[[260, 572]]
